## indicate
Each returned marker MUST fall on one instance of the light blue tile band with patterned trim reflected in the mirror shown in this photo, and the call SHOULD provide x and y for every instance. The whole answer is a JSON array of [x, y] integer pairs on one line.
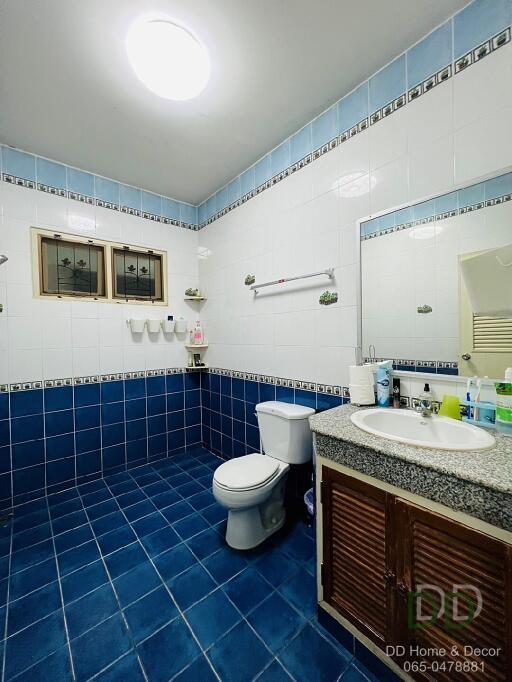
[[404, 218]]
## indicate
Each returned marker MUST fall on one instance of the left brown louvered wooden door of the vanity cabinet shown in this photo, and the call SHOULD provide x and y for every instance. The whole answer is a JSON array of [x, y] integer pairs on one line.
[[357, 550]]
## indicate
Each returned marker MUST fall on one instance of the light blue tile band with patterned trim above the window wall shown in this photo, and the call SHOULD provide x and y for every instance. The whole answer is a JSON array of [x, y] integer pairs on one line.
[[35, 172]]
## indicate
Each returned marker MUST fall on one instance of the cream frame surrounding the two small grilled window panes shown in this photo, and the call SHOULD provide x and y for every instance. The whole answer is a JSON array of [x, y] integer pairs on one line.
[[108, 247]]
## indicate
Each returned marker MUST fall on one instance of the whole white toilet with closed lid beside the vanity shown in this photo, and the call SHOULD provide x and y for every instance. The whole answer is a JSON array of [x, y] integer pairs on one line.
[[252, 486]]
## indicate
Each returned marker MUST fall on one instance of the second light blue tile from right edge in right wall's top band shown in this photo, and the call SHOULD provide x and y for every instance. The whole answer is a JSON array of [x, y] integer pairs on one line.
[[430, 55]]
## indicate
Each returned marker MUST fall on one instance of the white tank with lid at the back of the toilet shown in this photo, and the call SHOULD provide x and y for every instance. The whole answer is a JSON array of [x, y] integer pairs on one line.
[[284, 431]]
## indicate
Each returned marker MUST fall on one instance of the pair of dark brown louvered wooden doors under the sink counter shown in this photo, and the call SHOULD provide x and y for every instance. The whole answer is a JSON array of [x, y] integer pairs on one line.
[[380, 550]]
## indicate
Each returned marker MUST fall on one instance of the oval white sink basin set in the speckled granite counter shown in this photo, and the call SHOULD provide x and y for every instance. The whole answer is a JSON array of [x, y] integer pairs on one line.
[[407, 426]]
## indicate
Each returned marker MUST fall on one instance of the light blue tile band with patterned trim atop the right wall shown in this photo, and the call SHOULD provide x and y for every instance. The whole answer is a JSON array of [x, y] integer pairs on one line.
[[469, 36]]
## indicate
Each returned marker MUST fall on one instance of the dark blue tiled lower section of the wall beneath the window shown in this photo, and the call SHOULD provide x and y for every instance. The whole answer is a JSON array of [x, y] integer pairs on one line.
[[56, 437]]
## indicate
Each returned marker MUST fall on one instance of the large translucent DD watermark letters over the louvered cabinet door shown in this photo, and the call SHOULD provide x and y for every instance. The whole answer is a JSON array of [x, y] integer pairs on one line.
[[431, 604]]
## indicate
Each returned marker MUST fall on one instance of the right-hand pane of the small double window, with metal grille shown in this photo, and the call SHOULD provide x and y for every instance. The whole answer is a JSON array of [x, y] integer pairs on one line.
[[137, 274]]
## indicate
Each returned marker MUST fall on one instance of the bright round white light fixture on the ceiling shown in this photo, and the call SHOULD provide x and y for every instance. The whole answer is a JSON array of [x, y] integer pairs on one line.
[[168, 59]]
